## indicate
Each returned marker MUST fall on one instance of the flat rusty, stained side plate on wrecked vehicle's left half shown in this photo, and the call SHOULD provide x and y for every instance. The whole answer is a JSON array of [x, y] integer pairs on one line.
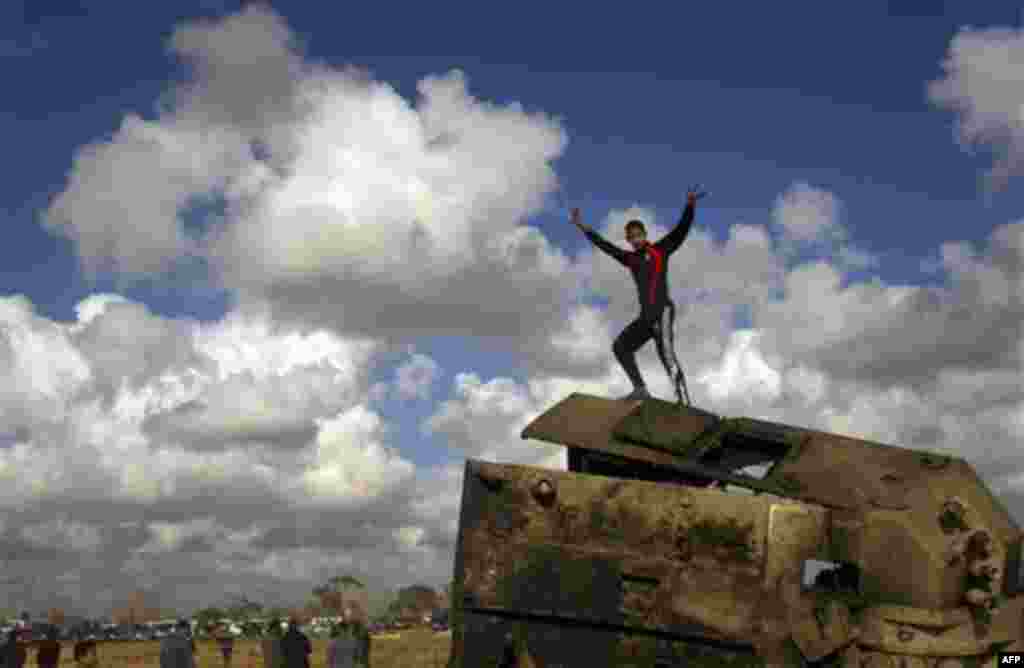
[[626, 554]]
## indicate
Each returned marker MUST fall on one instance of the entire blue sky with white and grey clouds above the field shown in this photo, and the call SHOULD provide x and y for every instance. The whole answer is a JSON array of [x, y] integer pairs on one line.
[[267, 285]]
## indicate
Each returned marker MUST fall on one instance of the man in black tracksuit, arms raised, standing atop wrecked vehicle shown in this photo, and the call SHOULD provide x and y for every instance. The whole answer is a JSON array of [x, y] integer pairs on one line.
[[650, 266]]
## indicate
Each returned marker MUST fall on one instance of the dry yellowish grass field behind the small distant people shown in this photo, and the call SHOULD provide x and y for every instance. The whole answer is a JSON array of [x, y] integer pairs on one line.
[[412, 649]]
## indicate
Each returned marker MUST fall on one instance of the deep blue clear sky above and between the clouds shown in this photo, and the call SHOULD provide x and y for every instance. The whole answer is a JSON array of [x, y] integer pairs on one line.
[[744, 104]]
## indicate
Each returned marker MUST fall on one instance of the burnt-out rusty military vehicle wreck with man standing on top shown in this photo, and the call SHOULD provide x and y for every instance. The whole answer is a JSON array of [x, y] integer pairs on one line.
[[680, 538]]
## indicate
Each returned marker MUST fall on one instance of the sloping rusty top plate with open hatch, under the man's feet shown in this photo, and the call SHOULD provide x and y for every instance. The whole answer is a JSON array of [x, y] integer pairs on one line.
[[830, 470]]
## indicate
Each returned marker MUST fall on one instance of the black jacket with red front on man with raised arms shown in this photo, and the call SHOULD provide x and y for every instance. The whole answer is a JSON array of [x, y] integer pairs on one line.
[[650, 266]]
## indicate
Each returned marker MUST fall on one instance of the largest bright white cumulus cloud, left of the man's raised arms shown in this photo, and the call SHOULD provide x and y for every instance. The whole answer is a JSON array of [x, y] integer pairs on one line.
[[333, 193]]
